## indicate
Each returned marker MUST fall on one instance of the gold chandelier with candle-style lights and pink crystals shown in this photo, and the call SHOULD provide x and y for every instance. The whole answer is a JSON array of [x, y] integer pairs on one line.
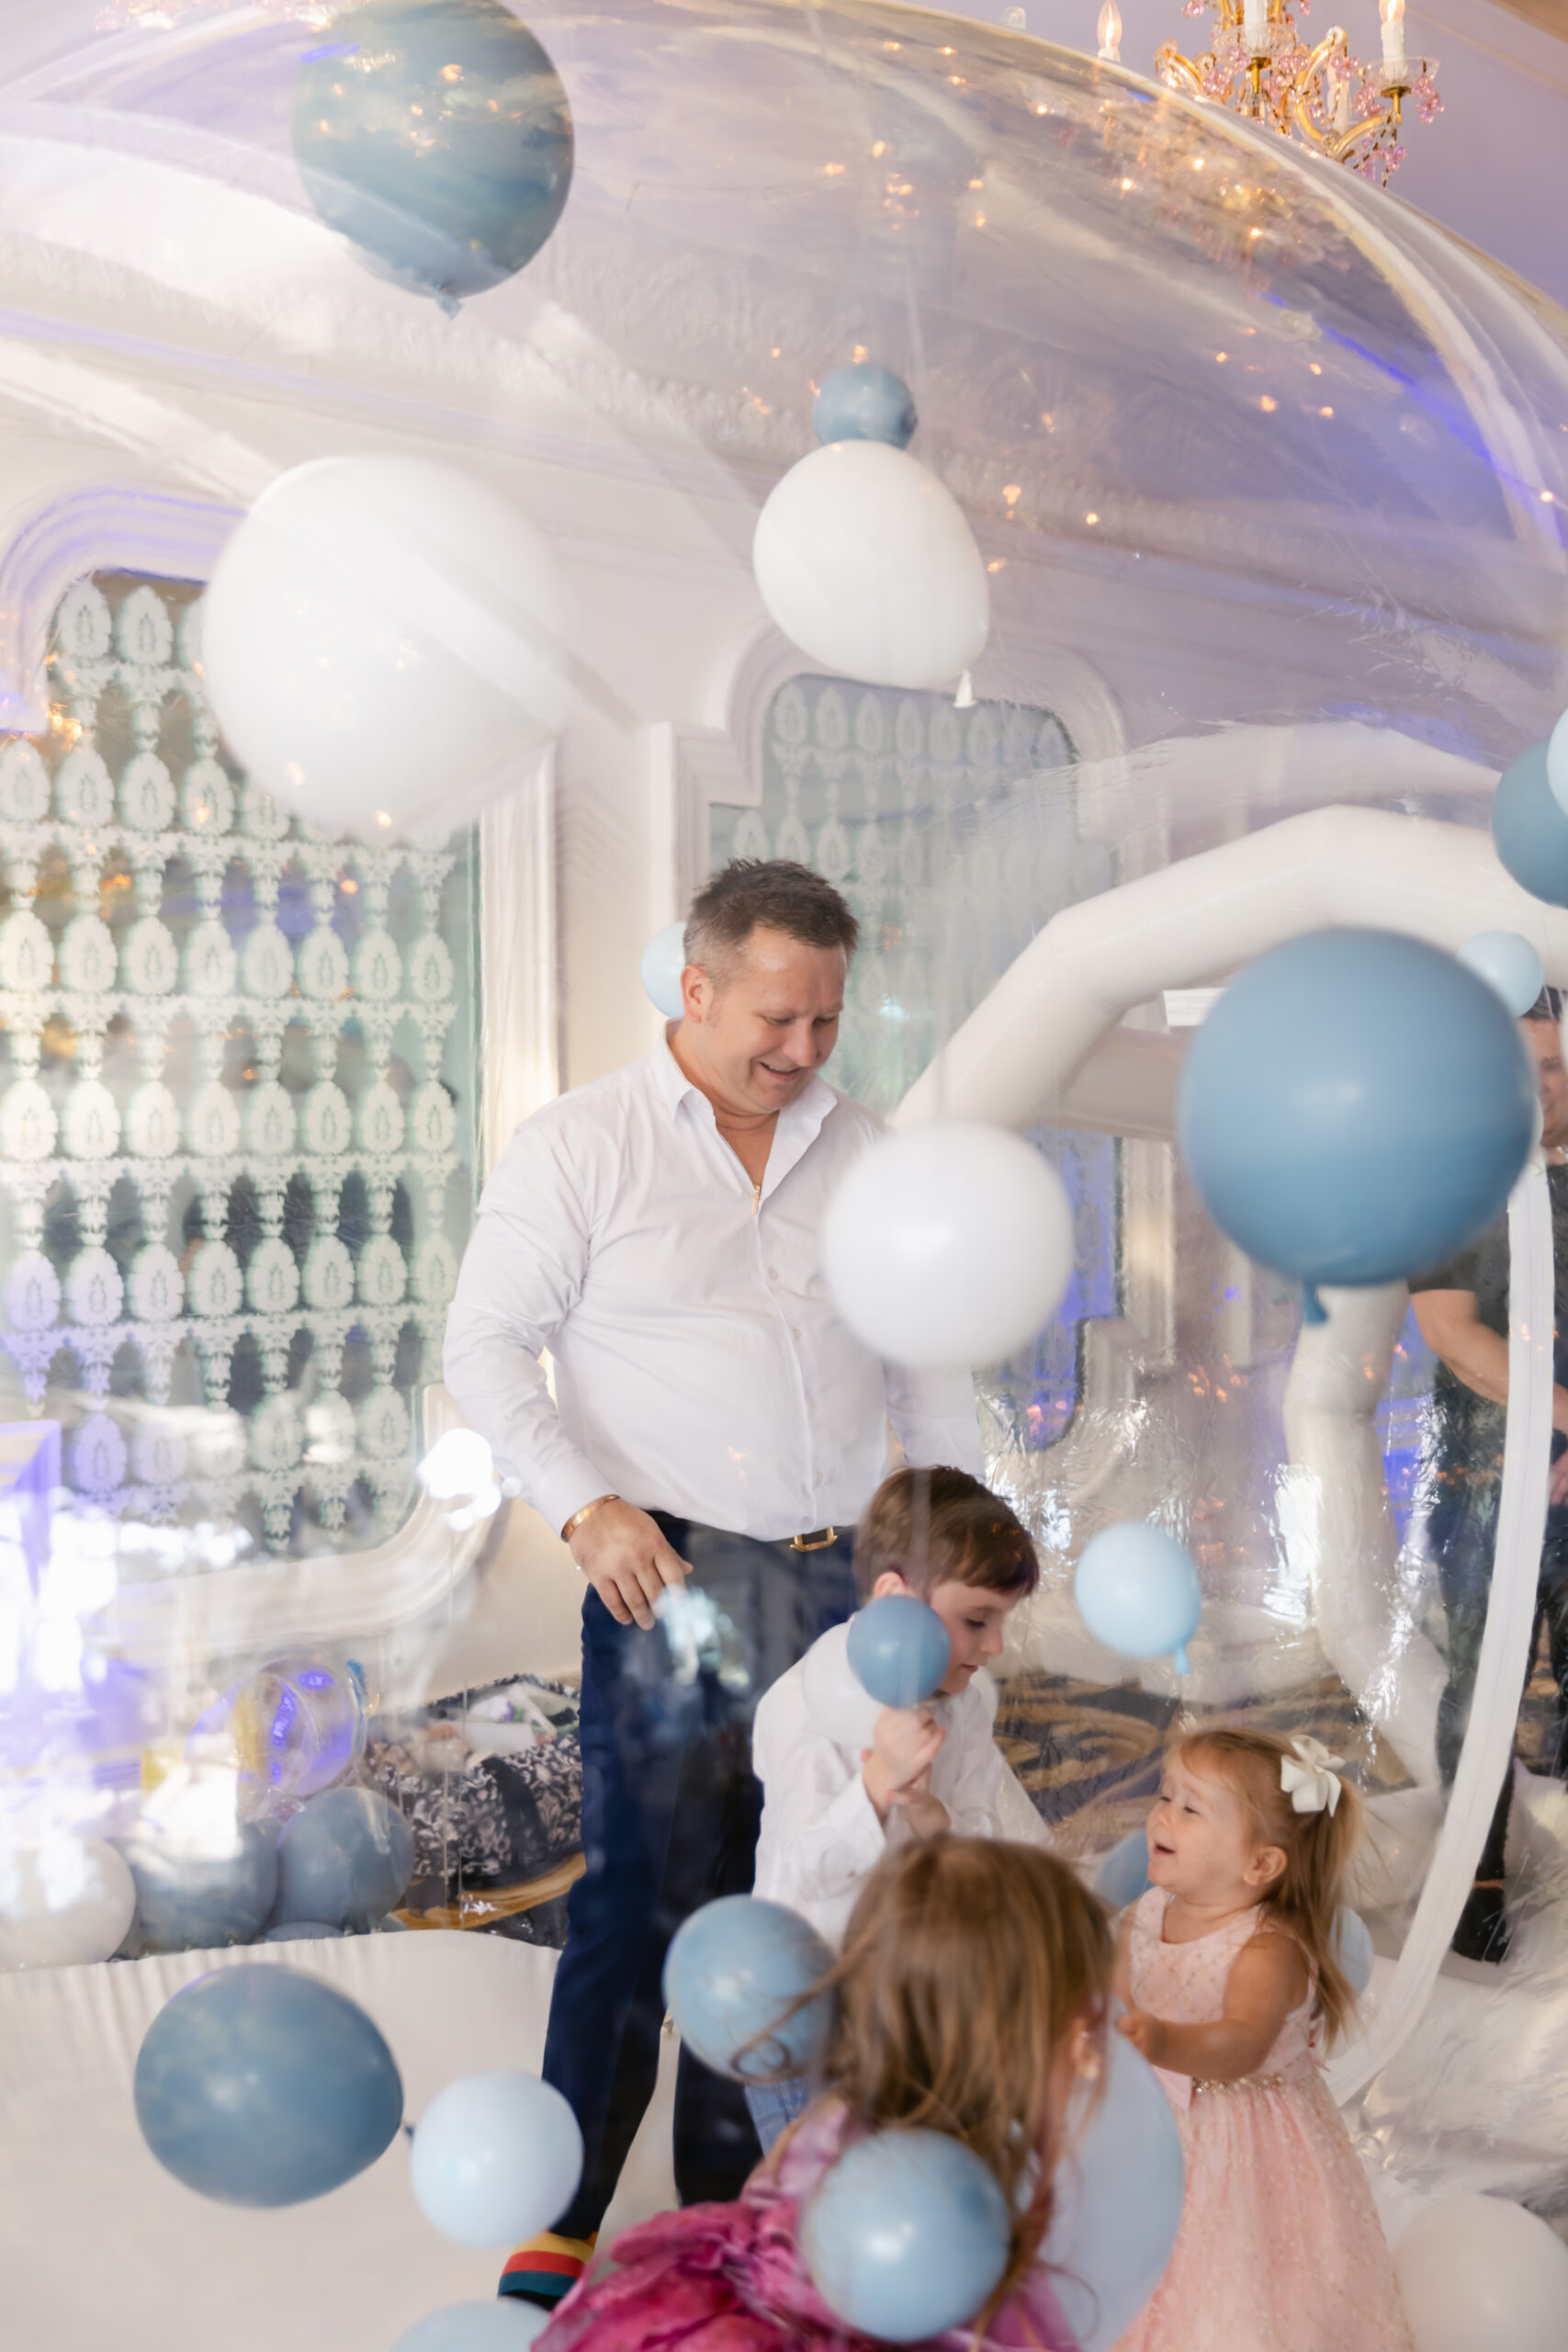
[[1259, 65]]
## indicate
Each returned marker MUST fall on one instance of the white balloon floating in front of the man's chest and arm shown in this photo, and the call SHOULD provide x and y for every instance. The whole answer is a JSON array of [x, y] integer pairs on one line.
[[949, 1245]]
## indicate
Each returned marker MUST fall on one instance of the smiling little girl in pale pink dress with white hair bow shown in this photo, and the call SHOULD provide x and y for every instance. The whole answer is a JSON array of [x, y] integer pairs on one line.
[[1233, 1984]]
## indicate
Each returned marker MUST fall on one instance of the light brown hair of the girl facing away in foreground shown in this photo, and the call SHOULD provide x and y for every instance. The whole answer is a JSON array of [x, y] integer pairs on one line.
[[965, 1970]]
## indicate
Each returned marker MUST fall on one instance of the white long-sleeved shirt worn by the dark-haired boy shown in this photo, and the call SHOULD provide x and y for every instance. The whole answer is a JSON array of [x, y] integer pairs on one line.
[[819, 1829]]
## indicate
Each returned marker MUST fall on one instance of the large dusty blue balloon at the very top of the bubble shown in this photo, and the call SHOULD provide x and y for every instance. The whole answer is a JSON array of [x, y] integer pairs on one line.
[[445, 180]]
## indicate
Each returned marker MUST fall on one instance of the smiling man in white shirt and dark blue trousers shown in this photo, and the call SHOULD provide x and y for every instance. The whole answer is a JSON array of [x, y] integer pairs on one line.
[[659, 1234]]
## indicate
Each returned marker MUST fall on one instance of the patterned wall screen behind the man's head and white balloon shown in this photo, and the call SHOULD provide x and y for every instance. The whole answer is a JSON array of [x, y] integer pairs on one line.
[[953, 834]]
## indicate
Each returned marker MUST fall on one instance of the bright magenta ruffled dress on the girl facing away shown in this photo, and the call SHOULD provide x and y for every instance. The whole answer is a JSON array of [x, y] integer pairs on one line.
[[728, 2278]]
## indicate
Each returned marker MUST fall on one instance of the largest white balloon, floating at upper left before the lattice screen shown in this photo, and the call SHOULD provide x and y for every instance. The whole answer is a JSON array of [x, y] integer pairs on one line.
[[387, 646]]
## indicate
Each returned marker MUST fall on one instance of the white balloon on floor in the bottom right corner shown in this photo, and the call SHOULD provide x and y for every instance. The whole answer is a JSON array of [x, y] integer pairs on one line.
[[1480, 2271]]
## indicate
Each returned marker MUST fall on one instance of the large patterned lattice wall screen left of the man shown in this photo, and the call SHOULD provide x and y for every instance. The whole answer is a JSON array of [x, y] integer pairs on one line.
[[236, 1116]]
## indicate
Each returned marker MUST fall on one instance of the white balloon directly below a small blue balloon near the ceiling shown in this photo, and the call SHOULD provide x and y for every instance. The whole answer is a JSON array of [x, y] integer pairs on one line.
[[866, 561]]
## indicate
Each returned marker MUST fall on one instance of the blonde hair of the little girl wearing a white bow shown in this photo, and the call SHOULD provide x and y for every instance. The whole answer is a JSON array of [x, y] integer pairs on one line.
[[1318, 1847]]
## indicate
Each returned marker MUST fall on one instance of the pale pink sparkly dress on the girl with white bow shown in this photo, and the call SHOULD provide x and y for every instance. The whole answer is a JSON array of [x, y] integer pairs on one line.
[[1280, 2245]]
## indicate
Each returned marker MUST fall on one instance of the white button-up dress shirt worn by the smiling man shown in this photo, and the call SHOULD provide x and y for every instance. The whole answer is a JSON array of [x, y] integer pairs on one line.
[[699, 1363]]
